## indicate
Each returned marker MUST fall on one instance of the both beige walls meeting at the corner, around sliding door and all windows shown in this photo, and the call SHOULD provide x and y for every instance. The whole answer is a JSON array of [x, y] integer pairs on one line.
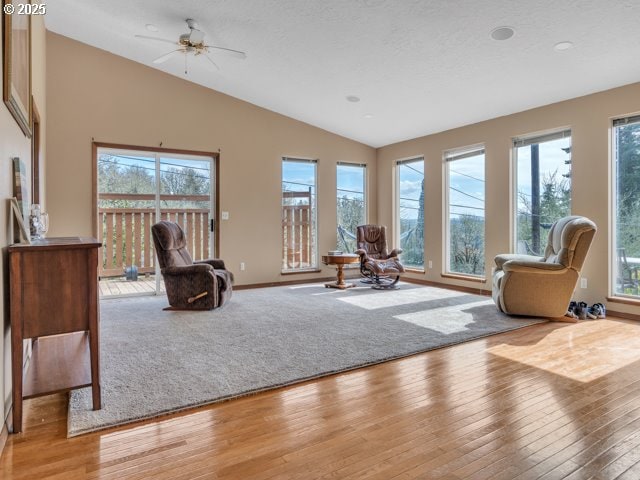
[[94, 94]]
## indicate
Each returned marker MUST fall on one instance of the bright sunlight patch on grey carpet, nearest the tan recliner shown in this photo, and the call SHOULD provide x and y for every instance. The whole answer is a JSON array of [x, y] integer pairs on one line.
[[445, 319]]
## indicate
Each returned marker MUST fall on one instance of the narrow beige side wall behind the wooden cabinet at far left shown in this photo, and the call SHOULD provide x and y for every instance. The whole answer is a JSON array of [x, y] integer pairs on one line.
[[14, 143]]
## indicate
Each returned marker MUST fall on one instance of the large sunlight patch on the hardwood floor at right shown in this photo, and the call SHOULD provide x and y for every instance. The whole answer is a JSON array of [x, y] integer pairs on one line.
[[584, 351]]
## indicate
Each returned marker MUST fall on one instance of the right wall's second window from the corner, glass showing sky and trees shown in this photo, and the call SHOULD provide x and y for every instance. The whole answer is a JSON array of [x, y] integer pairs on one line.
[[465, 211]]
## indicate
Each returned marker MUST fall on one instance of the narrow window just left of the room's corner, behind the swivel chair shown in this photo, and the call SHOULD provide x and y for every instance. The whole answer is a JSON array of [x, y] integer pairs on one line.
[[351, 207]]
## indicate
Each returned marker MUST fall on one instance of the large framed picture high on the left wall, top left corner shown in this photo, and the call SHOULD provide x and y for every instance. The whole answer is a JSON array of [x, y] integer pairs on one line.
[[17, 65]]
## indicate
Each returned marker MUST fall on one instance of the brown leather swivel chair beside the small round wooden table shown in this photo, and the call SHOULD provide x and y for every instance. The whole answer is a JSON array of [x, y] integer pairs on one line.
[[377, 265]]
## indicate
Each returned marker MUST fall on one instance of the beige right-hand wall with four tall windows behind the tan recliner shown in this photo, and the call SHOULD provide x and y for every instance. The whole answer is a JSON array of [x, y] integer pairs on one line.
[[588, 117]]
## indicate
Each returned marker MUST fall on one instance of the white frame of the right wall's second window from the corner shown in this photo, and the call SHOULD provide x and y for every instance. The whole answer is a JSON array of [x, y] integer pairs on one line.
[[448, 157]]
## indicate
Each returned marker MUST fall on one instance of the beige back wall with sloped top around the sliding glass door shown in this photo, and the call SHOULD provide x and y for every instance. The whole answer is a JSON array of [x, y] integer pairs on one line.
[[94, 94]]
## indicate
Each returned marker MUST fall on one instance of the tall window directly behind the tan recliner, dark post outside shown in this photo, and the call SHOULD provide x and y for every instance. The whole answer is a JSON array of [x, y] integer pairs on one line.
[[543, 179]]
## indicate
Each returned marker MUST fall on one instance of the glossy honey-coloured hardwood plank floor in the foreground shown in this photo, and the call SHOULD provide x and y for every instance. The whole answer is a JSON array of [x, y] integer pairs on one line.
[[548, 401]]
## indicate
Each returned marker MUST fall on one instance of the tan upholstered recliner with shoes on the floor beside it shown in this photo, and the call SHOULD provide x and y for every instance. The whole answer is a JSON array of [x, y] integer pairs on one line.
[[543, 286]]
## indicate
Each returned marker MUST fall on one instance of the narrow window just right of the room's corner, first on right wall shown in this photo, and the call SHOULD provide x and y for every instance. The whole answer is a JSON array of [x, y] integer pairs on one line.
[[410, 214]]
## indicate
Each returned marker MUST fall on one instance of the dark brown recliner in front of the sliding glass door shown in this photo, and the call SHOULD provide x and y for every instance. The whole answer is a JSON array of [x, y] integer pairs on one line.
[[200, 285]]
